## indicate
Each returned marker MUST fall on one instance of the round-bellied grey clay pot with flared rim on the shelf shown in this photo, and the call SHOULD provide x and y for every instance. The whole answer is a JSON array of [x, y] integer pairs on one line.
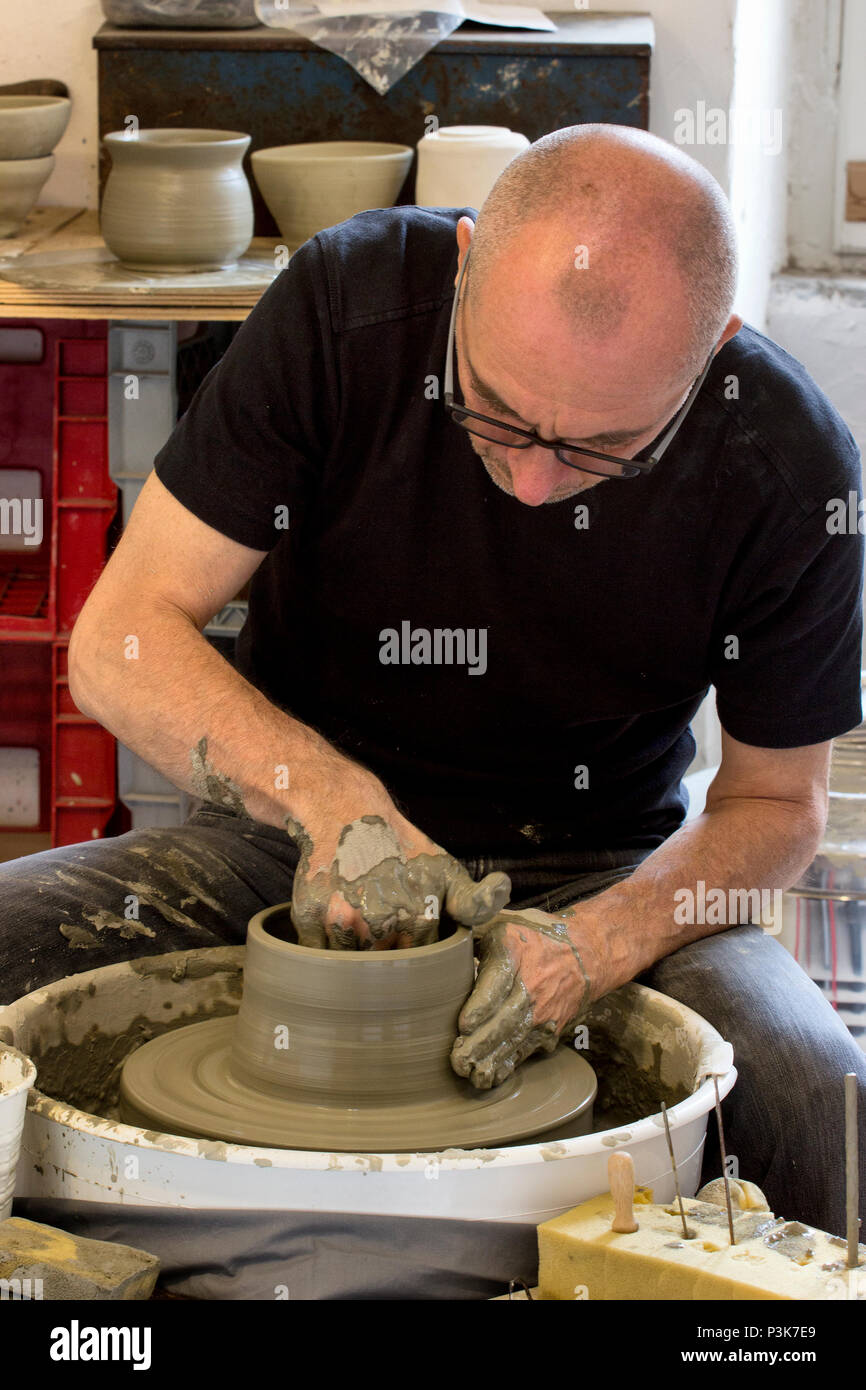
[[177, 201]]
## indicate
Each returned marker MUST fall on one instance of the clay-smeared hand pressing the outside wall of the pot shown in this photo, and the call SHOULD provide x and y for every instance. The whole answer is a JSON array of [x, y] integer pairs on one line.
[[532, 988]]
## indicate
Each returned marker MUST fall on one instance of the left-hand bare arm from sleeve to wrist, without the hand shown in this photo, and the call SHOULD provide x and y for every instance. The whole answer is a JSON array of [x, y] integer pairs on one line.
[[141, 667]]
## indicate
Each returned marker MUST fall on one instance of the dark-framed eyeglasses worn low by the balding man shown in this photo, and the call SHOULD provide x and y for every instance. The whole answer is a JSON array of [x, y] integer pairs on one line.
[[589, 461]]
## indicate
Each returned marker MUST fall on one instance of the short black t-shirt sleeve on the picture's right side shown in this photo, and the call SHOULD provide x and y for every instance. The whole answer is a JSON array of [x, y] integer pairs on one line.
[[787, 668]]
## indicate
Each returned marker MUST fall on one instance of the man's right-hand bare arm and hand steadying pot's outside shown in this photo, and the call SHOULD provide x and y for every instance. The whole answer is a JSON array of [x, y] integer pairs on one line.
[[764, 819]]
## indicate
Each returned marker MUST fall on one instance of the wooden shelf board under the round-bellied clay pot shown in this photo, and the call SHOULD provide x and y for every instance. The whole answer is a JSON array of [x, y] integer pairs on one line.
[[73, 234]]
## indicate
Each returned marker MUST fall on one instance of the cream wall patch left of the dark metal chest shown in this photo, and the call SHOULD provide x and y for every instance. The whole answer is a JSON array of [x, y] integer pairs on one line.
[[52, 40]]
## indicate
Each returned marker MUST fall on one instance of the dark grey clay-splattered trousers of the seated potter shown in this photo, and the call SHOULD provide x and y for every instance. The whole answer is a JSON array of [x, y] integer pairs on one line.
[[152, 892]]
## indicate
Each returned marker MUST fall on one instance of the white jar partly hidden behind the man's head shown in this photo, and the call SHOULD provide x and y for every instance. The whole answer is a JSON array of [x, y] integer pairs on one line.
[[459, 165]]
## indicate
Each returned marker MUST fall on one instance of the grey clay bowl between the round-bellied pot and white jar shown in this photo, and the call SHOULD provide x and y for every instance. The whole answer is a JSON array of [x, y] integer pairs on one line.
[[312, 187]]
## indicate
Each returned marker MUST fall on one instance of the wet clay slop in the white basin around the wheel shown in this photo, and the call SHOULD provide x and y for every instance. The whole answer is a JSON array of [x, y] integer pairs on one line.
[[637, 1045]]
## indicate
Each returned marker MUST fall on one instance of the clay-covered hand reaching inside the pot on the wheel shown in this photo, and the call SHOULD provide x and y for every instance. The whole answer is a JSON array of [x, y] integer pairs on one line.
[[386, 886]]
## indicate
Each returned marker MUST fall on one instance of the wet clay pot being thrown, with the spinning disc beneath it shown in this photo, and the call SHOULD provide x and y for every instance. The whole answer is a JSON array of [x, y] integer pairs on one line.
[[347, 1052]]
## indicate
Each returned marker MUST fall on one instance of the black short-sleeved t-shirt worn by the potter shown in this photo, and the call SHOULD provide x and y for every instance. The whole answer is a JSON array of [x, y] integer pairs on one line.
[[579, 653]]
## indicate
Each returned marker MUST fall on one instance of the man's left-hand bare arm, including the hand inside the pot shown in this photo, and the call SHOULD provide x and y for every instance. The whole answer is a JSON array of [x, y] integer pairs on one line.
[[141, 667]]
